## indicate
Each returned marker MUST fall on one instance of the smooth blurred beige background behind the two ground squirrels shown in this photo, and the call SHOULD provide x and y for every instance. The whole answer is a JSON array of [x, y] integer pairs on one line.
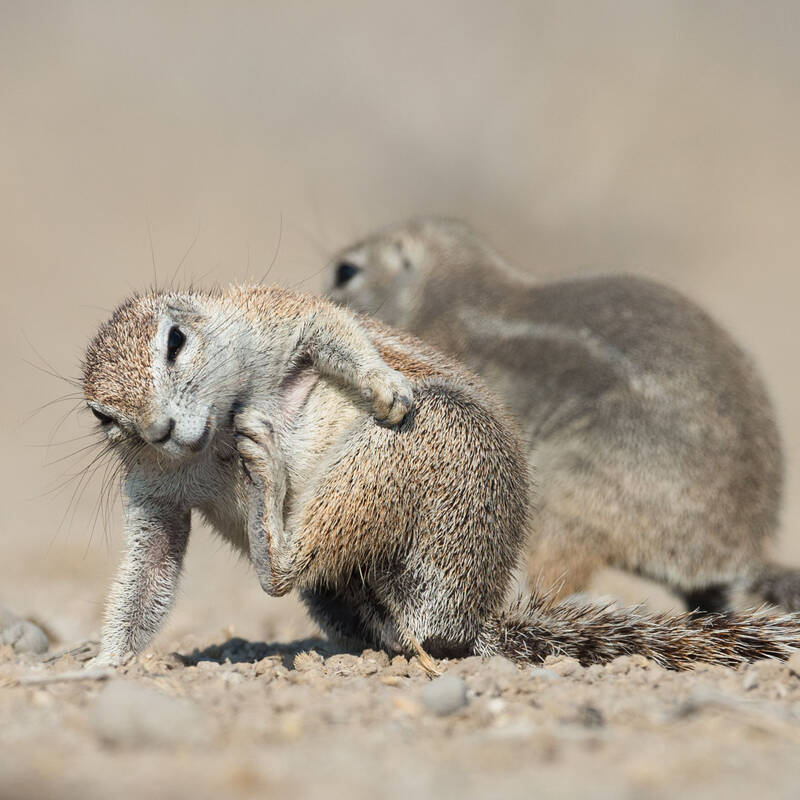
[[197, 140]]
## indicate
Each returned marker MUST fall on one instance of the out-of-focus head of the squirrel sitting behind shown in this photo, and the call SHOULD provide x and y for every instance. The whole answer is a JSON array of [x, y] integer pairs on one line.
[[386, 274]]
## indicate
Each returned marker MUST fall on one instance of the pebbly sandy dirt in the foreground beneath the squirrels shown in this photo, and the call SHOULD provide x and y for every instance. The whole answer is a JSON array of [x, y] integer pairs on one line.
[[241, 719]]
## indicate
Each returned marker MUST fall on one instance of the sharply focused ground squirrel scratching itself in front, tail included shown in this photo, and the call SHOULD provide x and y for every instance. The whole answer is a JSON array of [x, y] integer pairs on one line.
[[352, 463]]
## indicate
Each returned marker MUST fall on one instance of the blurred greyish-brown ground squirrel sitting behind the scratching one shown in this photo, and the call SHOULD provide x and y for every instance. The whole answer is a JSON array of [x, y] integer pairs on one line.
[[651, 436]]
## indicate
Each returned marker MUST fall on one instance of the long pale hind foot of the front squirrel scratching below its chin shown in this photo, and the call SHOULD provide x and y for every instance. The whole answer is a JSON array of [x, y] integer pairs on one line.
[[270, 546]]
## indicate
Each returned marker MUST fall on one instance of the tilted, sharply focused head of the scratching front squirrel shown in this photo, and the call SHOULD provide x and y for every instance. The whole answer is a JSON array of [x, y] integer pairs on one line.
[[146, 374]]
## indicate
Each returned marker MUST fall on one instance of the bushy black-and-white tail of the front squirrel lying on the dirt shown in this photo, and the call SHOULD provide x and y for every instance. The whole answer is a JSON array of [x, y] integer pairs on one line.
[[533, 629]]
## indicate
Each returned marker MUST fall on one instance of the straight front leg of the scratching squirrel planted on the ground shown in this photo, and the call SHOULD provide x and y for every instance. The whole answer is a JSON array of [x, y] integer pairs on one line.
[[144, 589]]
